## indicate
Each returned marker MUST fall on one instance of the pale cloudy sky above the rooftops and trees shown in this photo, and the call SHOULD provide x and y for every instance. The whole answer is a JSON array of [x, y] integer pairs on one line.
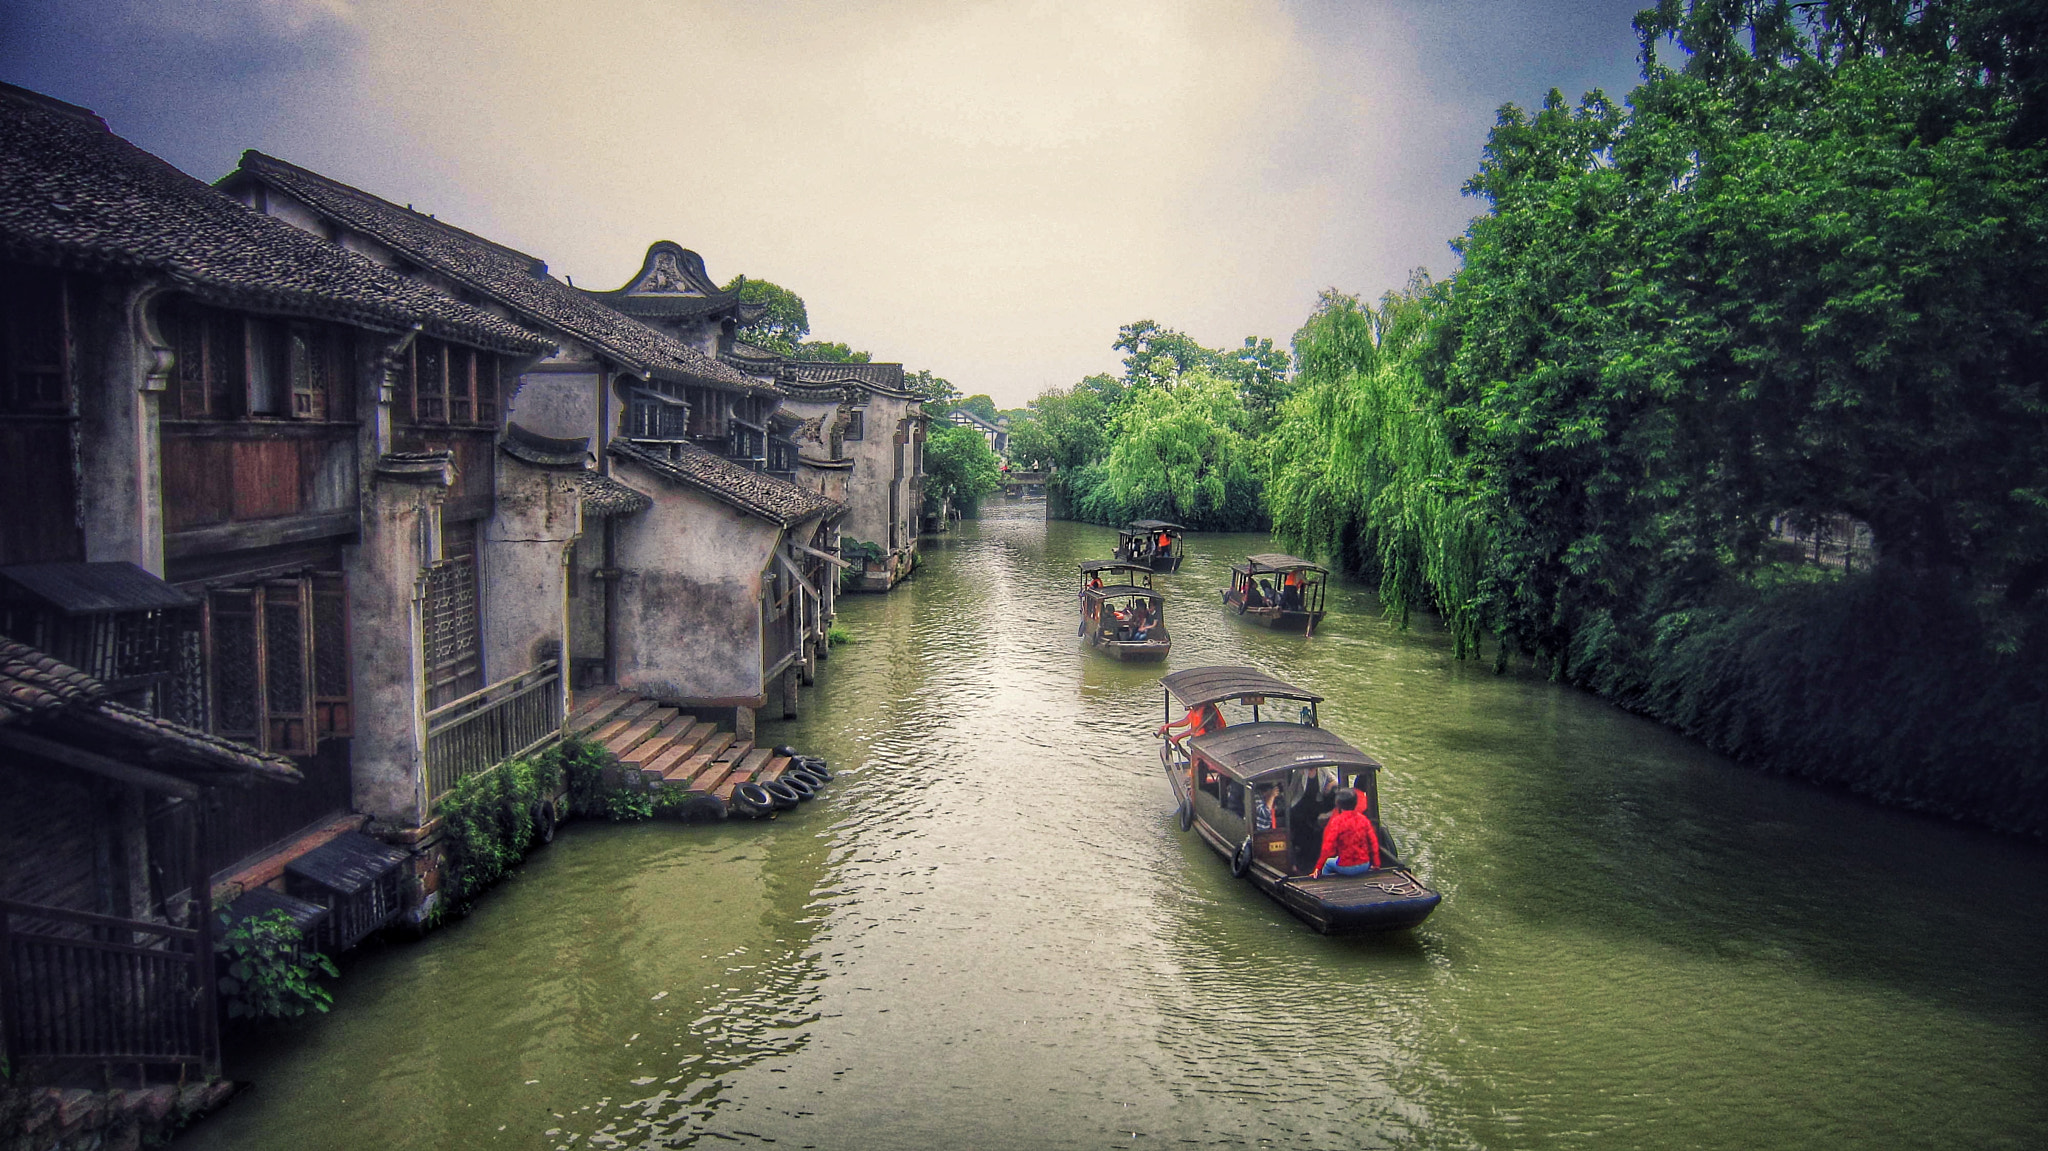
[[980, 189]]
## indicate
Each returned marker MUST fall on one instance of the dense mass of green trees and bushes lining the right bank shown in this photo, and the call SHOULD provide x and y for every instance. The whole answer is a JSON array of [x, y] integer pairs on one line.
[[1795, 278]]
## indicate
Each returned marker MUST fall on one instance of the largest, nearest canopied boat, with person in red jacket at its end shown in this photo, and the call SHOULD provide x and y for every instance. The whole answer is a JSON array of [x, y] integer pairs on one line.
[[1261, 794]]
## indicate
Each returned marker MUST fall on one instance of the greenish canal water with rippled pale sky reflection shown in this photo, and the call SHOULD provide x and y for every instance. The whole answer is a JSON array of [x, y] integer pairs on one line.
[[990, 931]]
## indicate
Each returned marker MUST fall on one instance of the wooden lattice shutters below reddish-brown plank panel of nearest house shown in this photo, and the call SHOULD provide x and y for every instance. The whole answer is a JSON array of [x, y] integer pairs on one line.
[[280, 663]]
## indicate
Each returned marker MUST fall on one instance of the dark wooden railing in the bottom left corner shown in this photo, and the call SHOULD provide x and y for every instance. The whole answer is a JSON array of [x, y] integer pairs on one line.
[[103, 990]]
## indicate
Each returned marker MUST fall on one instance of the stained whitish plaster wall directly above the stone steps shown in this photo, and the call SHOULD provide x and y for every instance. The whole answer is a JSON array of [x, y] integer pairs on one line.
[[689, 595]]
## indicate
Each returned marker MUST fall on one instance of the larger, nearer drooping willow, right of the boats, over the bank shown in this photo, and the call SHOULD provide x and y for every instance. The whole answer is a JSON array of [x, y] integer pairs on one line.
[[1363, 466]]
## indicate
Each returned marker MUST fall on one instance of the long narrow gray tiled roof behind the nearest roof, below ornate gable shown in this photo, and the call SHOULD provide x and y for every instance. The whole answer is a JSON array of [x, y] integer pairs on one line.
[[501, 273]]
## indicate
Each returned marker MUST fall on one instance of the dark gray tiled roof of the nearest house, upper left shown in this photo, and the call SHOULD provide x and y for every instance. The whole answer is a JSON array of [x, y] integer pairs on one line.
[[77, 196]]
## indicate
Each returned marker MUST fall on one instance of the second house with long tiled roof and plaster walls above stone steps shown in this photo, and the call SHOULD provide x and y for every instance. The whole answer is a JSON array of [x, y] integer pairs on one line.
[[689, 620]]
